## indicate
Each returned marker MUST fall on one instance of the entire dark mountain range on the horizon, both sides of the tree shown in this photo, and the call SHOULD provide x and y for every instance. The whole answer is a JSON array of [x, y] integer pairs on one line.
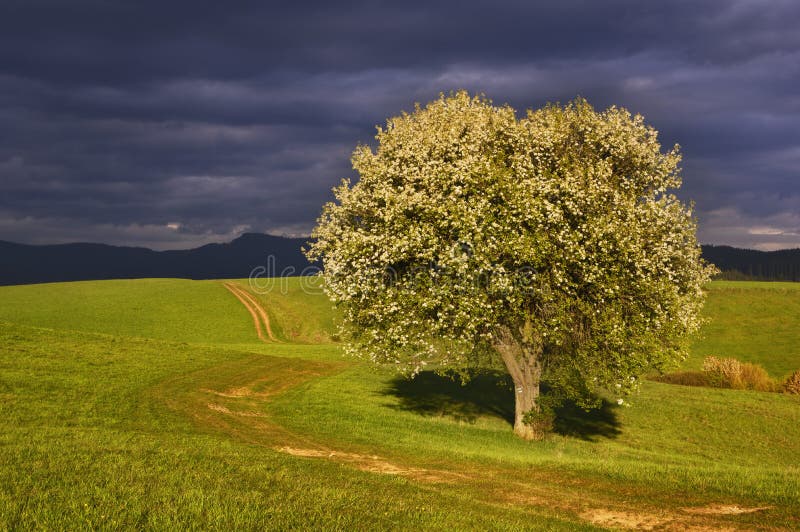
[[274, 256]]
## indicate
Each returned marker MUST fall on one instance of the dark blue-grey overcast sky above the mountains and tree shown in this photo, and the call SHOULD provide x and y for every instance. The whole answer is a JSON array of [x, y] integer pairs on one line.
[[173, 124]]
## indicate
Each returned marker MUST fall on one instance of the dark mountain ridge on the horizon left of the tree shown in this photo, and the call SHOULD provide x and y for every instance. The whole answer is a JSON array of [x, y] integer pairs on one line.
[[24, 264]]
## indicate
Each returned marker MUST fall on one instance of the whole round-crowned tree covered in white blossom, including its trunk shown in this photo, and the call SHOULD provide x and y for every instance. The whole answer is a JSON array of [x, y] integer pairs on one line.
[[551, 244]]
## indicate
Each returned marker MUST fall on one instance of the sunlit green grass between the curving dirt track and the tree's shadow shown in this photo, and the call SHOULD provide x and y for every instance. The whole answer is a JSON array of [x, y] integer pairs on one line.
[[674, 437]]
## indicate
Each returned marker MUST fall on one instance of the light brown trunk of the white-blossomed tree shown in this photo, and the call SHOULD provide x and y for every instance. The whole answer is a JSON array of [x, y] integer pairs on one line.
[[522, 359]]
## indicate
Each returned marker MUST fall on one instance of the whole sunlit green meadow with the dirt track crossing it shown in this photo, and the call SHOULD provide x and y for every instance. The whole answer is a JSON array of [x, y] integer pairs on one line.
[[152, 404]]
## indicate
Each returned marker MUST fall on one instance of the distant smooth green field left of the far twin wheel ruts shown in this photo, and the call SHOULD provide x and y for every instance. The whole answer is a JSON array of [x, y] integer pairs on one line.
[[176, 310]]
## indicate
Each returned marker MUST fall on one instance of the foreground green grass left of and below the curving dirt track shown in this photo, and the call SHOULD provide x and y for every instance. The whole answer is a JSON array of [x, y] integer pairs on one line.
[[84, 443]]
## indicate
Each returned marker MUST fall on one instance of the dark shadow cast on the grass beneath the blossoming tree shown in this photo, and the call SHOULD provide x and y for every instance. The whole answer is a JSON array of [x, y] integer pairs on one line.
[[491, 394]]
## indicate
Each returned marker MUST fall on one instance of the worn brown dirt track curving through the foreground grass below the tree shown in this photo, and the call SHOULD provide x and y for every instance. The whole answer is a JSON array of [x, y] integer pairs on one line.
[[232, 399]]
